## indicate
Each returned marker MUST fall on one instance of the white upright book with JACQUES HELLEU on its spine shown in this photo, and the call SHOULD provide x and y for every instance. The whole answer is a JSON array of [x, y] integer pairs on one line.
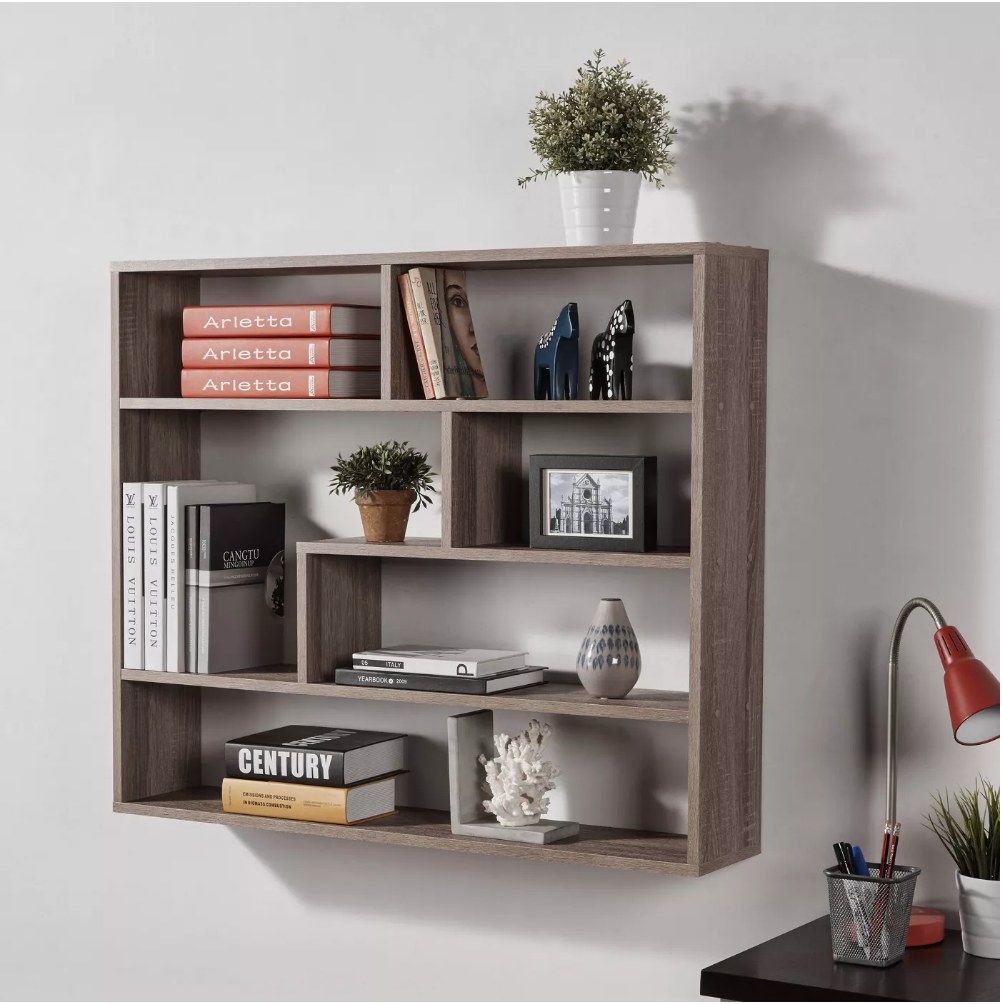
[[179, 495]]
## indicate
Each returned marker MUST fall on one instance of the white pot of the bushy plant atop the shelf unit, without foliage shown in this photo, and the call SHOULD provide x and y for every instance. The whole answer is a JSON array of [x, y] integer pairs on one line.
[[600, 207]]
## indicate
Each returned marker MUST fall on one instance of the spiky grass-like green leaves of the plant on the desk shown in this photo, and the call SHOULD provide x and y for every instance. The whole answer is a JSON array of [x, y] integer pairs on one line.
[[971, 835]]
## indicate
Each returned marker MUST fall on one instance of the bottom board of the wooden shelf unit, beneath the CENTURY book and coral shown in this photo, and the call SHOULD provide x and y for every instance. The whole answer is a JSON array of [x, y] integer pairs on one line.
[[605, 847]]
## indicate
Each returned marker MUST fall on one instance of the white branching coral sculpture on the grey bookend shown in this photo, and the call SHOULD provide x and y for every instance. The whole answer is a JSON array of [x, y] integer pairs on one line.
[[519, 779]]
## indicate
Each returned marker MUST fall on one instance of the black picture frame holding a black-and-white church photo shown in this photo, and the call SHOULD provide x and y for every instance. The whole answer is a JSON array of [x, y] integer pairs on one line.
[[579, 533]]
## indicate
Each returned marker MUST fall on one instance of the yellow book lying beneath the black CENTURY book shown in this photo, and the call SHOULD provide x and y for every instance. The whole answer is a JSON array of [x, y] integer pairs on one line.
[[311, 803]]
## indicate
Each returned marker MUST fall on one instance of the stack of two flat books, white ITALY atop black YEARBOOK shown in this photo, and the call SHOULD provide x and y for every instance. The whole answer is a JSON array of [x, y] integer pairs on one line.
[[445, 671]]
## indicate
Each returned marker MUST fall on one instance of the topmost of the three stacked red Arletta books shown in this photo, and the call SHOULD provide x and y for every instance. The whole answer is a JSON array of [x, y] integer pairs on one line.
[[282, 320]]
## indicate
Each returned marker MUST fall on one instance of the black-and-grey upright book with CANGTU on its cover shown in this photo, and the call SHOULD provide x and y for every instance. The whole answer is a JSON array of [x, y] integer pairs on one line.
[[241, 574]]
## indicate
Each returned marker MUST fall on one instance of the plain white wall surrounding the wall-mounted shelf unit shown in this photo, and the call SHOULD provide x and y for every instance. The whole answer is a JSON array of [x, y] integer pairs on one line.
[[859, 143]]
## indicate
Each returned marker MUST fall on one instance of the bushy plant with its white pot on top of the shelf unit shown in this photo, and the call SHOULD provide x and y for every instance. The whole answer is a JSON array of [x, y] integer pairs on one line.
[[601, 137]]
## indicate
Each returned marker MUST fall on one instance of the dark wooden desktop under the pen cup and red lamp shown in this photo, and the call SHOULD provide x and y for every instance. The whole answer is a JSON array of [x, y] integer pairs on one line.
[[798, 966]]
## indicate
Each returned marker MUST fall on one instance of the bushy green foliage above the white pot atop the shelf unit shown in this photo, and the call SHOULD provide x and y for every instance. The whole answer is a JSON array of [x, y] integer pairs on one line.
[[604, 122]]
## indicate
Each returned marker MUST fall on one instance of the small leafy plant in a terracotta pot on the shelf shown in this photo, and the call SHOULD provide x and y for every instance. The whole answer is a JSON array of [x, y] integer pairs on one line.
[[387, 480]]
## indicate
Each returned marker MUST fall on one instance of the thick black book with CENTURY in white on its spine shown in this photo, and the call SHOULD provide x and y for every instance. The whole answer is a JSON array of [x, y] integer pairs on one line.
[[316, 755]]
